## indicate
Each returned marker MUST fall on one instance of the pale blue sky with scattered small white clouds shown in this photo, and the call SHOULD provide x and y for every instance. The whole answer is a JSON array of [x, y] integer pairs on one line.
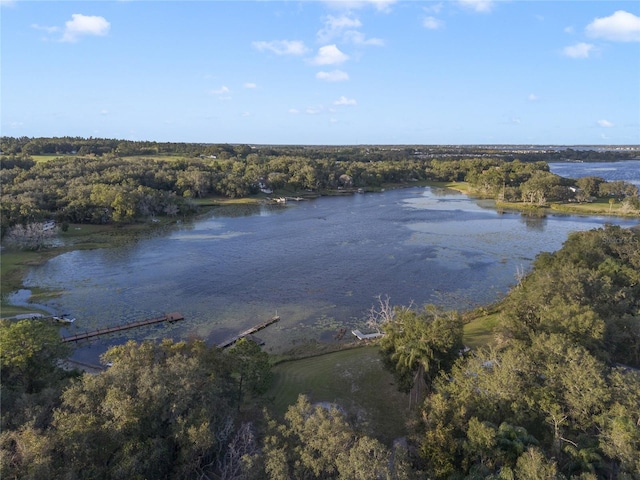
[[324, 72]]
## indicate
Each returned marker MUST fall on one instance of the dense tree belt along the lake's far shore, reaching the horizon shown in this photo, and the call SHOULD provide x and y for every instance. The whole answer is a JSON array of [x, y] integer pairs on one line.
[[103, 181]]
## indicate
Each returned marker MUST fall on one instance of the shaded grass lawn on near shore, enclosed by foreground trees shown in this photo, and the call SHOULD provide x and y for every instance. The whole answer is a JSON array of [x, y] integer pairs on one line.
[[355, 379]]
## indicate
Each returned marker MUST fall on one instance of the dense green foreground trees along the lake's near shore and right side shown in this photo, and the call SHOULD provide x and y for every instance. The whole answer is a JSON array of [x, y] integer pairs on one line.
[[556, 395]]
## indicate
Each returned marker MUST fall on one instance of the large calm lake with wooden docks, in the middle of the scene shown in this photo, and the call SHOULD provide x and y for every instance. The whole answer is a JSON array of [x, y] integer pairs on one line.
[[319, 264]]
